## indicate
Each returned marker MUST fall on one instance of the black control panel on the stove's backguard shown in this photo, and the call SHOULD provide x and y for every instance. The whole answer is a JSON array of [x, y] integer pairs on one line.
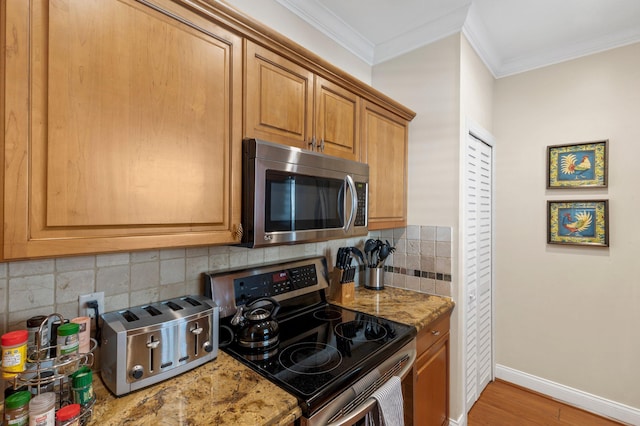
[[274, 283]]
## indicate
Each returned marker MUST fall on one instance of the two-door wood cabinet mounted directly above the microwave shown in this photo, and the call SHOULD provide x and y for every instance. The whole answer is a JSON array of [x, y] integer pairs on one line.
[[286, 103]]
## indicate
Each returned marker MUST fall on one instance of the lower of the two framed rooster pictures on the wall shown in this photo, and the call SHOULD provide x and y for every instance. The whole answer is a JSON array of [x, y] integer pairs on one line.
[[583, 223]]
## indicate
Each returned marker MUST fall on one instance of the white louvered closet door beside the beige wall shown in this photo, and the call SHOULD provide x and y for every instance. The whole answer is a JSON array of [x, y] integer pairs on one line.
[[477, 267]]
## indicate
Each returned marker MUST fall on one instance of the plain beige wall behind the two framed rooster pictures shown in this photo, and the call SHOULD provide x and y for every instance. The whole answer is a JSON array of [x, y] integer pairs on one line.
[[567, 314]]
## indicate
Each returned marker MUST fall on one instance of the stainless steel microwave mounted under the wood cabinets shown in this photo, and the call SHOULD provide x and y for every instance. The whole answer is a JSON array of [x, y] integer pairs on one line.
[[292, 196]]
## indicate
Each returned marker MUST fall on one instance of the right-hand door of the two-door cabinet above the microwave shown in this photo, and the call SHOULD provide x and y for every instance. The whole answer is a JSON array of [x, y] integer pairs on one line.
[[337, 126]]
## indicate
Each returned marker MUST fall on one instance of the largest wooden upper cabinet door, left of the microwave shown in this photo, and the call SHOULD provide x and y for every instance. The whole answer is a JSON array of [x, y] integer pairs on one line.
[[123, 128]]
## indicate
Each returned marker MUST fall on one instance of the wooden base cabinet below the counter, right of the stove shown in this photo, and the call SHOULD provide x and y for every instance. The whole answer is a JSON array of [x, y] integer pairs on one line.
[[429, 385]]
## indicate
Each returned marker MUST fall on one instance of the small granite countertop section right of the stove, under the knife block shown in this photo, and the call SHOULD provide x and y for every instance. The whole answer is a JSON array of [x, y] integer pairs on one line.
[[405, 306]]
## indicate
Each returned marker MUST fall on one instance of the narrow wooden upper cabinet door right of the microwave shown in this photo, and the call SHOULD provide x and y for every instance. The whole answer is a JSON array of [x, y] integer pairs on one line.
[[385, 143]]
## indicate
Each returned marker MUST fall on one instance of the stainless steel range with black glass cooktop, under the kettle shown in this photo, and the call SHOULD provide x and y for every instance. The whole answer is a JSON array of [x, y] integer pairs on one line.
[[331, 358]]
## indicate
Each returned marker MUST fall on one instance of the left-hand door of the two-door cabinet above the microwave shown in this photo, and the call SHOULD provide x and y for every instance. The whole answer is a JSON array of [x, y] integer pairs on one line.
[[279, 98]]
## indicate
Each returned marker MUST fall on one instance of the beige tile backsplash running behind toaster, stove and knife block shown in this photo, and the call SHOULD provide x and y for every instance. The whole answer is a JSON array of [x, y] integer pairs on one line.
[[422, 263]]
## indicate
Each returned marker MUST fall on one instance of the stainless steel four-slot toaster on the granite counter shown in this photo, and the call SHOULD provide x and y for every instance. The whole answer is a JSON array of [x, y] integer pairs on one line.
[[147, 344]]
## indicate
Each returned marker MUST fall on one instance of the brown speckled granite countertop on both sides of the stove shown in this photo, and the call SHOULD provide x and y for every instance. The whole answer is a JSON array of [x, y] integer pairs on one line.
[[225, 392]]
